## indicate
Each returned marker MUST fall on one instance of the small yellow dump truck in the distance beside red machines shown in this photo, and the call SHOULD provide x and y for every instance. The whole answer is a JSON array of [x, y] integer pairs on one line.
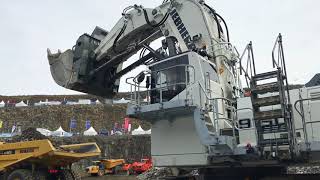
[[106, 166]]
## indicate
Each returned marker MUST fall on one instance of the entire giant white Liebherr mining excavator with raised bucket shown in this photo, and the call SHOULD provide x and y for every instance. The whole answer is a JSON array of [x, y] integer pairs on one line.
[[192, 94]]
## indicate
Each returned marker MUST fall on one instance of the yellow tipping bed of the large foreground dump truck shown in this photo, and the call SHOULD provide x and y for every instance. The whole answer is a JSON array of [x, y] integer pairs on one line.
[[44, 153]]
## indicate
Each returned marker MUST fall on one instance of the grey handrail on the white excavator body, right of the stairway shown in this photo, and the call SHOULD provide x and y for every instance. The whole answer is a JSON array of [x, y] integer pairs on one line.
[[303, 118]]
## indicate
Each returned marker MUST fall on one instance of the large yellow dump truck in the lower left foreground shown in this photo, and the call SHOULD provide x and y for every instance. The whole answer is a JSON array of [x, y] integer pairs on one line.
[[40, 160]]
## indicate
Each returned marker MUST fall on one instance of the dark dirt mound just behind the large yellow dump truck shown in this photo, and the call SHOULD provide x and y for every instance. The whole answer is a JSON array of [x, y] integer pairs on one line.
[[29, 134]]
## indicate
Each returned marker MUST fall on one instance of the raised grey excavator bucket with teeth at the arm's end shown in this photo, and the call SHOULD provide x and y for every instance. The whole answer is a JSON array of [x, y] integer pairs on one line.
[[73, 69]]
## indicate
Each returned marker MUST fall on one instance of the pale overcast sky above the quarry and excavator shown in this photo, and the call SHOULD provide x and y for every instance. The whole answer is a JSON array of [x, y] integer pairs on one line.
[[29, 27]]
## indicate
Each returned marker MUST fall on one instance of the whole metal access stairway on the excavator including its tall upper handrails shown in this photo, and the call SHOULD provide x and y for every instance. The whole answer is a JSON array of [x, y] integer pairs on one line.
[[271, 106]]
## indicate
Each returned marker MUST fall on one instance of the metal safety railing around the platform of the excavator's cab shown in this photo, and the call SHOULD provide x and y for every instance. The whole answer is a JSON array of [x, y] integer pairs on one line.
[[137, 91]]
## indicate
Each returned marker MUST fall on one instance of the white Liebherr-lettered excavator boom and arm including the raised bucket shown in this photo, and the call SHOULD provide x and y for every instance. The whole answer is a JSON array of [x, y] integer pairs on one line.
[[94, 64]]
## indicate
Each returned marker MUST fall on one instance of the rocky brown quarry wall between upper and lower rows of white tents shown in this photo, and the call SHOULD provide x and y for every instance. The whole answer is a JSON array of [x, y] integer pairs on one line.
[[51, 117]]
